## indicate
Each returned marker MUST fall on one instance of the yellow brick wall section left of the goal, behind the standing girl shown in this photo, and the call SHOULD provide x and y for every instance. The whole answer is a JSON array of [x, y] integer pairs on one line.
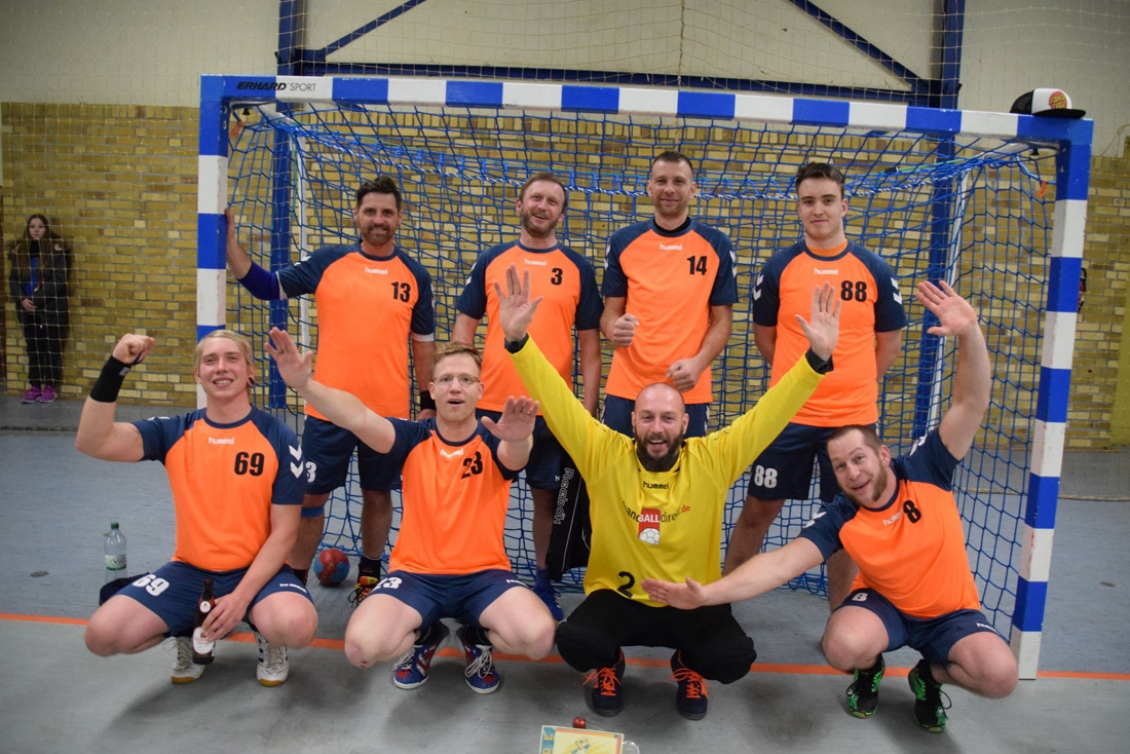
[[120, 184]]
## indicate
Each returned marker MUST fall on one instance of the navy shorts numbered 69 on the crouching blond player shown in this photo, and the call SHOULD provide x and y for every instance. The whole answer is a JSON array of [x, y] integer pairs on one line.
[[173, 592]]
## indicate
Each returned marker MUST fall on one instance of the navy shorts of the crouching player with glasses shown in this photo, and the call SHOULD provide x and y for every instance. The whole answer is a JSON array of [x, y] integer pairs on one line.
[[460, 597]]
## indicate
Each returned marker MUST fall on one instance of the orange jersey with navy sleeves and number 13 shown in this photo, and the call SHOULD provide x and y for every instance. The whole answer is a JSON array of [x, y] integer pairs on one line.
[[368, 309]]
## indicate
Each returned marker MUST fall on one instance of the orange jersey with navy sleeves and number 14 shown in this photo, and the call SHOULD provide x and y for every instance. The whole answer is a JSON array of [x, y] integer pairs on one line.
[[670, 281]]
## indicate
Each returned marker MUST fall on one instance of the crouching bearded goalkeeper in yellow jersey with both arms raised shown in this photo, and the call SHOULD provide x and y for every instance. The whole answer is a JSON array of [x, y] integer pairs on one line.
[[657, 506]]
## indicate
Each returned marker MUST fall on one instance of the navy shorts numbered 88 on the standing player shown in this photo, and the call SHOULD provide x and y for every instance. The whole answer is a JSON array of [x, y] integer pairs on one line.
[[785, 470]]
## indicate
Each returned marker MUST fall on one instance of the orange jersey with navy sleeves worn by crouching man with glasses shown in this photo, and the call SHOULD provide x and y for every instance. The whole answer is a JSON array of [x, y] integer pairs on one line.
[[456, 497]]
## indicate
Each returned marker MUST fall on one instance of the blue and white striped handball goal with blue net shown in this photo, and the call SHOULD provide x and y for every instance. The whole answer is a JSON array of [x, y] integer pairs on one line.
[[993, 203]]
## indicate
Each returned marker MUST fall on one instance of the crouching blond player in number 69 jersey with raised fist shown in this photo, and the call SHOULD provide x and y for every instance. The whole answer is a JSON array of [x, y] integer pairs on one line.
[[237, 480]]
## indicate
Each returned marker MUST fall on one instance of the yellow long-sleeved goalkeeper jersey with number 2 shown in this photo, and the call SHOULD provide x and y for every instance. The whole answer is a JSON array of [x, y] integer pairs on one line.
[[660, 525]]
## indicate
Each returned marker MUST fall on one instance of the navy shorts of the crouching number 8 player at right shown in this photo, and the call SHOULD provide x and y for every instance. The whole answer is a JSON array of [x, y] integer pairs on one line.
[[932, 637]]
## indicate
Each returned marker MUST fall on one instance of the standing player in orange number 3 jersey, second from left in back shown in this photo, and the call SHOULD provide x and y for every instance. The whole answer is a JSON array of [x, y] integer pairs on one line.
[[568, 284]]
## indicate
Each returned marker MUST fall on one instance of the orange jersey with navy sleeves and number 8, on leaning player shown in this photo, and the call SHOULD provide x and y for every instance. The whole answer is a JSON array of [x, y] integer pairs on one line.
[[911, 551]]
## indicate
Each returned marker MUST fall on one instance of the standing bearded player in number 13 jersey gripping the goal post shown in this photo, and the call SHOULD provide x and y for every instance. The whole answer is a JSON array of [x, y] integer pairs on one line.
[[371, 299]]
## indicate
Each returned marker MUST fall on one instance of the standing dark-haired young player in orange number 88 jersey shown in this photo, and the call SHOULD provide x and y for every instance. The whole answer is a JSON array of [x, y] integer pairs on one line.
[[871, 335]]
